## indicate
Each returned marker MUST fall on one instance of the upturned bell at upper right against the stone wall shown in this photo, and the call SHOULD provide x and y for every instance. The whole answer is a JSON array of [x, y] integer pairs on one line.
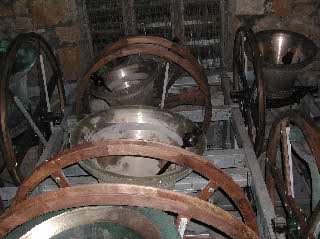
[[284, 55]]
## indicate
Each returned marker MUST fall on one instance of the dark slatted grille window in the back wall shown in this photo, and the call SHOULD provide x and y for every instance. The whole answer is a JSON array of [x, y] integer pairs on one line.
[[197, 23]]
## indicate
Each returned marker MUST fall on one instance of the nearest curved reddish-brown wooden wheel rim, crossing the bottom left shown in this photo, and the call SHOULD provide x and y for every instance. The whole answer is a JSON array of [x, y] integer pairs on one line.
[[121, 194]]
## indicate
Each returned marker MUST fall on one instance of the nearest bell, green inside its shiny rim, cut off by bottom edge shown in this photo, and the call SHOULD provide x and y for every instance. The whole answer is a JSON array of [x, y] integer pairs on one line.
[[93, 222]]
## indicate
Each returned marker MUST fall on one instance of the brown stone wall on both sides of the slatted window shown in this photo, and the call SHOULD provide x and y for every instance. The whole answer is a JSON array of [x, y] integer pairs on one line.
[[64, 24]]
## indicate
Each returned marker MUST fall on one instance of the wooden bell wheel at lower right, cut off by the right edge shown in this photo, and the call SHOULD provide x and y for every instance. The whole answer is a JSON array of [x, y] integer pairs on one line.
[[279, 175]]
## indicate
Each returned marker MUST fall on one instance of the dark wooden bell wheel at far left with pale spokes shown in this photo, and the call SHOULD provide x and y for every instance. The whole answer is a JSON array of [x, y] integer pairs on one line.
[[28, 106]]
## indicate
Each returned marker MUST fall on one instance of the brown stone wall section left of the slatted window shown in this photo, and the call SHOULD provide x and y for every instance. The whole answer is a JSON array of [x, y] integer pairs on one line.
[[61, 22]]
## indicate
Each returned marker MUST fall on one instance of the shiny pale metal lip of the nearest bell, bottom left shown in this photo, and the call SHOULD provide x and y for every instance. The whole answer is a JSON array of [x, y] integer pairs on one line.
[[68, 223]]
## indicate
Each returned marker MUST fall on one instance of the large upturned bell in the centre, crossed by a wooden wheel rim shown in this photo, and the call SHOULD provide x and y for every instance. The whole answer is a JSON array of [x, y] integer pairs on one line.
[[140, 123]]
